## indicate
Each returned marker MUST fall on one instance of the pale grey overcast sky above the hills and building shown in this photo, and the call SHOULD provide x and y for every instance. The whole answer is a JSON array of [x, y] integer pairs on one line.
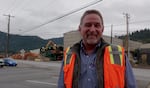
[[29, 14]]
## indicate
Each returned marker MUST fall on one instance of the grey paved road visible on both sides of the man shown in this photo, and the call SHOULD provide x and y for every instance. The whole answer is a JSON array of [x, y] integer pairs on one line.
[[30, 74]]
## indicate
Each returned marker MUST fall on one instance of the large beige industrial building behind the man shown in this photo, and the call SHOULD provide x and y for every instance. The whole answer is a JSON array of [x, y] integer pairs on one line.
[[73, 36]]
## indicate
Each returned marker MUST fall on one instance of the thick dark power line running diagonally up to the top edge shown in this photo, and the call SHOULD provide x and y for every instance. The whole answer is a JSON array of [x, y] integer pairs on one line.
[[57, 18]]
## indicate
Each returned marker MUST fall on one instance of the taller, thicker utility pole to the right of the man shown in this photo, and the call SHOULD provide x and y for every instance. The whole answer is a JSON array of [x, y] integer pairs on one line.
[[127, 35]]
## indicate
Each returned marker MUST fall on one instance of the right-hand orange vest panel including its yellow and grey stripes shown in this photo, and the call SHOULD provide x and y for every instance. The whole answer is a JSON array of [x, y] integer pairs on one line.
[[114, 67]]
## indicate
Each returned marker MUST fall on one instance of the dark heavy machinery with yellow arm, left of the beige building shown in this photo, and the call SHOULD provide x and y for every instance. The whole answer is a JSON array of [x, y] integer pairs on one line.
[[52, 51]]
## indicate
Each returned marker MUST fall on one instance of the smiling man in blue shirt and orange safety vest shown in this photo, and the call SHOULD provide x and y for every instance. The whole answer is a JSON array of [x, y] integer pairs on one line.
[[93, 63]]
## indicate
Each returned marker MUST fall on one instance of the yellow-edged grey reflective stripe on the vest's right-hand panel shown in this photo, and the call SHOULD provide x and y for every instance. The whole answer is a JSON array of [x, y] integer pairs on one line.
[[115, 55]]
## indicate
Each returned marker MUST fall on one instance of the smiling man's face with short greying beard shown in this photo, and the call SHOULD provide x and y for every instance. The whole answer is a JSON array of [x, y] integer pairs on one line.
[[91, 29]]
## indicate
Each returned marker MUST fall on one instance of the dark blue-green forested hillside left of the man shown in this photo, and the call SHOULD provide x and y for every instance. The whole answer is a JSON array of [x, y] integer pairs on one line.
[[17, 42]]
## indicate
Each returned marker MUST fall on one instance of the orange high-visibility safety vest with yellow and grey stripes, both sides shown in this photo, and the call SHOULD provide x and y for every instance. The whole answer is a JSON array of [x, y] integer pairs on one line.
[[114, 67]]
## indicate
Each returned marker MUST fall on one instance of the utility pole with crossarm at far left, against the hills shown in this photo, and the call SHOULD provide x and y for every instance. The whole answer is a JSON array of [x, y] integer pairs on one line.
[[7, 43]]
